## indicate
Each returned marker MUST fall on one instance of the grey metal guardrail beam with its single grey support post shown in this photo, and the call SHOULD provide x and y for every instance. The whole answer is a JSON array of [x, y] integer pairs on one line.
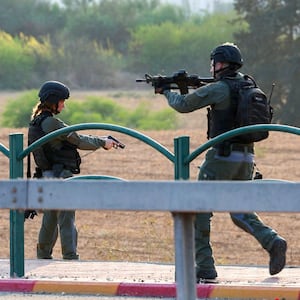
[[157, 196]]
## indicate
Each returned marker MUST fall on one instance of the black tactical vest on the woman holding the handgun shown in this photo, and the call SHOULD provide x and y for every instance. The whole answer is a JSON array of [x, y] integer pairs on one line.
[[45, 156]]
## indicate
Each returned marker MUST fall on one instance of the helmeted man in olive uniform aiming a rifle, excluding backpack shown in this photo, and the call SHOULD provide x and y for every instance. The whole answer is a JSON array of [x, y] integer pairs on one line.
[[229, 160]]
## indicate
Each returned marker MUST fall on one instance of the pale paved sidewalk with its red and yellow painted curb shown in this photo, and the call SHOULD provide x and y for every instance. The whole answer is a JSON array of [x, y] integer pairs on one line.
[[146, 279]]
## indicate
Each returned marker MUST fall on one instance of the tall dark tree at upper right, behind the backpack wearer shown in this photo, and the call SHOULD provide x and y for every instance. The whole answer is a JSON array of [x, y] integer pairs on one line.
[[270, 47]]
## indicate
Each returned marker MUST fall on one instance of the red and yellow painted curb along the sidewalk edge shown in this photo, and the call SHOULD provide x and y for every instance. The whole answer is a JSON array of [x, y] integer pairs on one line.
[[167, 290]]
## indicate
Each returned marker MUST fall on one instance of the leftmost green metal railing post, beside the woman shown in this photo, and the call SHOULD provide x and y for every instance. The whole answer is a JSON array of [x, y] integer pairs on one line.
[[16, 217]]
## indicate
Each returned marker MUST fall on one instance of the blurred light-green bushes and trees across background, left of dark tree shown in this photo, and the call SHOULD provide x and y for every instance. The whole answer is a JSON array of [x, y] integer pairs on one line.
[[91, 44]]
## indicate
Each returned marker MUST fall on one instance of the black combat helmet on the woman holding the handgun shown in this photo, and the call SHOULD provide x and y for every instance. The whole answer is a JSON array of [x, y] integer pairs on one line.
[[53, 91]]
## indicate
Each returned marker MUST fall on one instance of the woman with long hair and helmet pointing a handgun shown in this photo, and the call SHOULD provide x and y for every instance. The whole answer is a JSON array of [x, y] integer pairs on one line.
[[58, 158]]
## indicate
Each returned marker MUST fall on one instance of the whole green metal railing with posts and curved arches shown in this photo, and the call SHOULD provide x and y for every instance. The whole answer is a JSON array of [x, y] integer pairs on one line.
[[181, 160]]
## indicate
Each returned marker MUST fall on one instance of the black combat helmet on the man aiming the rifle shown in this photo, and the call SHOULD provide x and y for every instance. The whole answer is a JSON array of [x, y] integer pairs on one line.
[[227, 52]]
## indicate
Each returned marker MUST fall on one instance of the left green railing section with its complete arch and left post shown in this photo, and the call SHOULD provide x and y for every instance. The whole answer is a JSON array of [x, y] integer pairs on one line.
[[16, 155]]
